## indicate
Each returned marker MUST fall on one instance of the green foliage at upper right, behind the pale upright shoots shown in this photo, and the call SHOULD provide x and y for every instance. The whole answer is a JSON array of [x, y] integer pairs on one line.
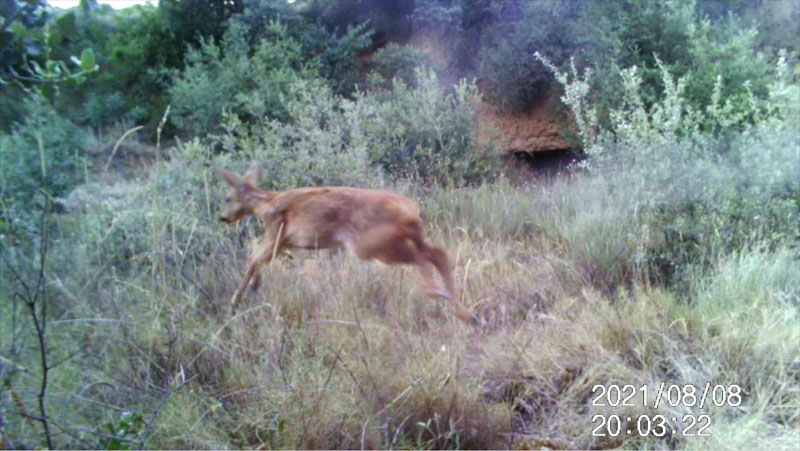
[[645, 34]]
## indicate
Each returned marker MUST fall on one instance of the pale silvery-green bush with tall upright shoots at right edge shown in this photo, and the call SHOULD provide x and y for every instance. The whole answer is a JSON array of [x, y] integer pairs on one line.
[[708, 193]]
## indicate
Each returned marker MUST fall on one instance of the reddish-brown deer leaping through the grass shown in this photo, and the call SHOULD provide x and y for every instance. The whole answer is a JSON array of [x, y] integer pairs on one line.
[[374, 224]]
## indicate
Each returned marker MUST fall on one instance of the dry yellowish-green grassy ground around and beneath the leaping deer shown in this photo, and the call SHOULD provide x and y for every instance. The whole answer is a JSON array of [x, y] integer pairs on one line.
[[334, 352]]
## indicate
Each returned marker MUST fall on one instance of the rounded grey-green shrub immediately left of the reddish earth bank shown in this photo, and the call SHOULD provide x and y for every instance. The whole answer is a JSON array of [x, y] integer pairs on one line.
[[422, 132]]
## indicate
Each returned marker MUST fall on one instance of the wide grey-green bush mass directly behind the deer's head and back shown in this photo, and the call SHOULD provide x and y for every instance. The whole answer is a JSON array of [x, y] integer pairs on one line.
[[423, 133]]
